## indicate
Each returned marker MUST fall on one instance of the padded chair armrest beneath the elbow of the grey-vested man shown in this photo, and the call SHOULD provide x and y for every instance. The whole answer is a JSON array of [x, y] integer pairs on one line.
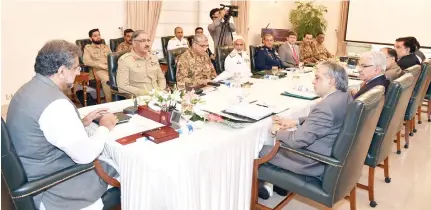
[[36, 186]]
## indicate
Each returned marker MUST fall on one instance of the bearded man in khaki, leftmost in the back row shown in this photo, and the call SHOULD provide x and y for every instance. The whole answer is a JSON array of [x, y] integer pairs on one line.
[[95, 56]]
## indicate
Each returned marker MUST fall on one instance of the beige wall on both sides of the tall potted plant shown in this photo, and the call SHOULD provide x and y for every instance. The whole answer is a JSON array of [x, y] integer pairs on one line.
[[277, 13]]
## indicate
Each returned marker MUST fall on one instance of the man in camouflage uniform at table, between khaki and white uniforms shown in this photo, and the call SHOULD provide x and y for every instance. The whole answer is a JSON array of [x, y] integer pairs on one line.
[[194, 67]]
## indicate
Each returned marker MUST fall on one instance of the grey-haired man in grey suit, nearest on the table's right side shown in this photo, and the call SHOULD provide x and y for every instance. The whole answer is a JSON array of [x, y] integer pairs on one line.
[[316, 132]]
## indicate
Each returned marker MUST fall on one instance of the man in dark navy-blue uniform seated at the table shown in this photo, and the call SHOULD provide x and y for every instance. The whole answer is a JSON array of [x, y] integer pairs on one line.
[[266, 57]]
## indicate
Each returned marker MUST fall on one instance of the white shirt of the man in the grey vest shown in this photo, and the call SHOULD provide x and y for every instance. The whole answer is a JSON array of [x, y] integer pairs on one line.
[[63, 128]]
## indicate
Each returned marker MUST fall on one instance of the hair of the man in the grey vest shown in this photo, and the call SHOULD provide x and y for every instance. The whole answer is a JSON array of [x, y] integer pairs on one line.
[[54, 54]]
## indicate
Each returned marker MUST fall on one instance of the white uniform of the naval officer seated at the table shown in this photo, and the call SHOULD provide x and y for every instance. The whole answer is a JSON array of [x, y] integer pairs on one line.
[[233, 63]]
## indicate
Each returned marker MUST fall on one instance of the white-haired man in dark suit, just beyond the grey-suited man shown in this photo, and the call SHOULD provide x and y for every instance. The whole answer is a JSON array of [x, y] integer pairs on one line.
[[372, 66]]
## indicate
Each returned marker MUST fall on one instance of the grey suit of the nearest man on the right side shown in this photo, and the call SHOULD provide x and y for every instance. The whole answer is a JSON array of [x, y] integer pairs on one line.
[[317, 133]]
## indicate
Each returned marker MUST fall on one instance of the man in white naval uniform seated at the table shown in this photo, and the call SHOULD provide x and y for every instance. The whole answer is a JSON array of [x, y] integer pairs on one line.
[[237, 62]]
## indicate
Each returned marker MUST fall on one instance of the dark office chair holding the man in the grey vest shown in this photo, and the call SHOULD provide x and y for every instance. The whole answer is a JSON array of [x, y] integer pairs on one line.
[[22, 191]]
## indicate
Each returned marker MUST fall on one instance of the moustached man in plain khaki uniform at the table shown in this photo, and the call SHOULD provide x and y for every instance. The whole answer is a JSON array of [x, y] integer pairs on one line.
[[139, 71]]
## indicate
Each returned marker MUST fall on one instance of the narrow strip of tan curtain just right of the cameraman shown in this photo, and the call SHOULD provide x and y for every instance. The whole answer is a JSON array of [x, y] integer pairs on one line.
[[241, 22]]
